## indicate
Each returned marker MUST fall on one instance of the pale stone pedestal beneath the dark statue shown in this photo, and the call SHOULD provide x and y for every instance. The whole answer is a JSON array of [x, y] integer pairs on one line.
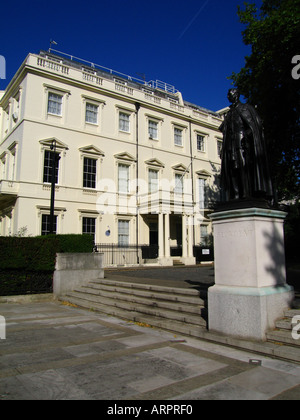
[[250, 290]]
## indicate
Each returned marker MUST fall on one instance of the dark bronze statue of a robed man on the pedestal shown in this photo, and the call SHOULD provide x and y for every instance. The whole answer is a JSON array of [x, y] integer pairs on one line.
[[244, 171]]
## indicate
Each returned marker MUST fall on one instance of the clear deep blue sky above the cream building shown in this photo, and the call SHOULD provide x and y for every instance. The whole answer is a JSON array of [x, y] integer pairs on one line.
[[193, 44]]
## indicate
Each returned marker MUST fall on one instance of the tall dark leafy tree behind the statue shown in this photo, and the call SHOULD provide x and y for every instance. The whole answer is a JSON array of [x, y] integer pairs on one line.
[[268, 82]]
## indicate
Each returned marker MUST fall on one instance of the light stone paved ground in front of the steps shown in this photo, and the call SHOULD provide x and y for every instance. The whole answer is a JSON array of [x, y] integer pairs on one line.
[[57, 352]]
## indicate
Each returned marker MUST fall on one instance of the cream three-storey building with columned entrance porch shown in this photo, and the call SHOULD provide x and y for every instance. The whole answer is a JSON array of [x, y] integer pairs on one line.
[[135, 163]]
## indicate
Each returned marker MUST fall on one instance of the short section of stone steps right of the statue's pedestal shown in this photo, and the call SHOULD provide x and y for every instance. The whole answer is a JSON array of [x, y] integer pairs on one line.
[[282, 334]]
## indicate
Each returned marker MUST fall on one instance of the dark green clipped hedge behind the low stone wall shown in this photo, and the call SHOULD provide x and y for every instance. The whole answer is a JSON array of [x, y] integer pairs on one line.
[[27, 264]]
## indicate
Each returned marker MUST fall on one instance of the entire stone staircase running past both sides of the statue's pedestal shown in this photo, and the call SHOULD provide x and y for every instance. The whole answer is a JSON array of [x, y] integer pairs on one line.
[[178, 310]]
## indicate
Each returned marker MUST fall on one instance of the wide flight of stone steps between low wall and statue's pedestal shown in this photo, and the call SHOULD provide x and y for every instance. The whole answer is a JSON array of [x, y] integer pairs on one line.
[[179, 310]]
